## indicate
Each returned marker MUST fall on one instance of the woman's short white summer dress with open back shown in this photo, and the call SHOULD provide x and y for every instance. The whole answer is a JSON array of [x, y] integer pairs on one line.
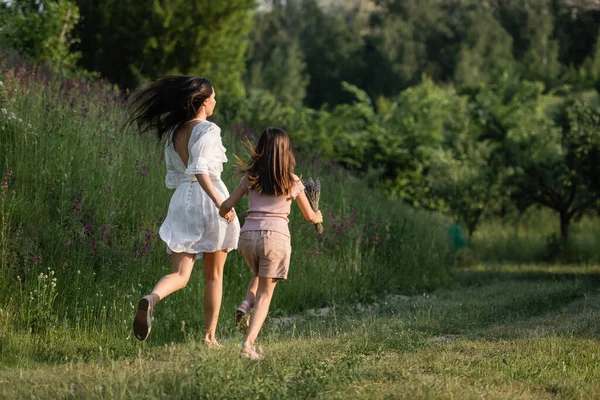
[[193, 224]]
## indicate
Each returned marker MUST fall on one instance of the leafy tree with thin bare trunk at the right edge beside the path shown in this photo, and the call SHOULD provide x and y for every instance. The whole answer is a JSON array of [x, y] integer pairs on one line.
[[546, 160]]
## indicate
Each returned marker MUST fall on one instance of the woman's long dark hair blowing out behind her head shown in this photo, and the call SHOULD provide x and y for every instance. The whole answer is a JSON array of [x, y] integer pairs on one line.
[[168, 103]]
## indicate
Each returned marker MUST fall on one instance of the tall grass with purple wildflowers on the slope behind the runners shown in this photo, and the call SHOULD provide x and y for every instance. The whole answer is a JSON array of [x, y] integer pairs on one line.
[[81, 212]]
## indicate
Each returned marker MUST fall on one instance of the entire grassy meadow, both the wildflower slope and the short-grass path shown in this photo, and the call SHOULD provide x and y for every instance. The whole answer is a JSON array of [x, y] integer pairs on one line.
[[374, 307]]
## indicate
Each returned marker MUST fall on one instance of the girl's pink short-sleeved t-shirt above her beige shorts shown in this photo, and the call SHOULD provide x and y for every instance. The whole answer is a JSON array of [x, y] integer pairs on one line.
[[270, 213]]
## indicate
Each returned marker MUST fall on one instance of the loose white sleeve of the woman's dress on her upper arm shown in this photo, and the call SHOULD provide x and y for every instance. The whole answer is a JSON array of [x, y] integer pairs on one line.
[[201, 147]]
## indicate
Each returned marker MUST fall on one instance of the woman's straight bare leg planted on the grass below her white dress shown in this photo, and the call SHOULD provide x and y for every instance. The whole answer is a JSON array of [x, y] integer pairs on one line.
[[213, 276]]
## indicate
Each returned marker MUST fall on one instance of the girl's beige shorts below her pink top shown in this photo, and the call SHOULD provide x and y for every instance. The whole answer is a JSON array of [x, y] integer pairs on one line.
[[267, 253]]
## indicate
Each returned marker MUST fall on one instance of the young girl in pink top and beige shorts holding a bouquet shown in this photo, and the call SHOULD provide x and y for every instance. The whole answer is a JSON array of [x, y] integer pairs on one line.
[[271, 185]]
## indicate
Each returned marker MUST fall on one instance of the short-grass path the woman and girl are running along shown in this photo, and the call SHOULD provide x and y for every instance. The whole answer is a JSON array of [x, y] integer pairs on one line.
[[500, 334]]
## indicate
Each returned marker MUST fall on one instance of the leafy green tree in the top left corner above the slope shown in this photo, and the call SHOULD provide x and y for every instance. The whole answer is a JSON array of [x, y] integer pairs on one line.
[[42, 30]]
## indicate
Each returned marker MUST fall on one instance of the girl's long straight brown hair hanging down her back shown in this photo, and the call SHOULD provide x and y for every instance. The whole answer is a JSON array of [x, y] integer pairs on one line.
[[270, 169]]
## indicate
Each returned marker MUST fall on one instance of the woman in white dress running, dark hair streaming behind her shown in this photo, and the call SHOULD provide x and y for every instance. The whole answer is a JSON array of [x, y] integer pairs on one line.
[[176, 107]]
